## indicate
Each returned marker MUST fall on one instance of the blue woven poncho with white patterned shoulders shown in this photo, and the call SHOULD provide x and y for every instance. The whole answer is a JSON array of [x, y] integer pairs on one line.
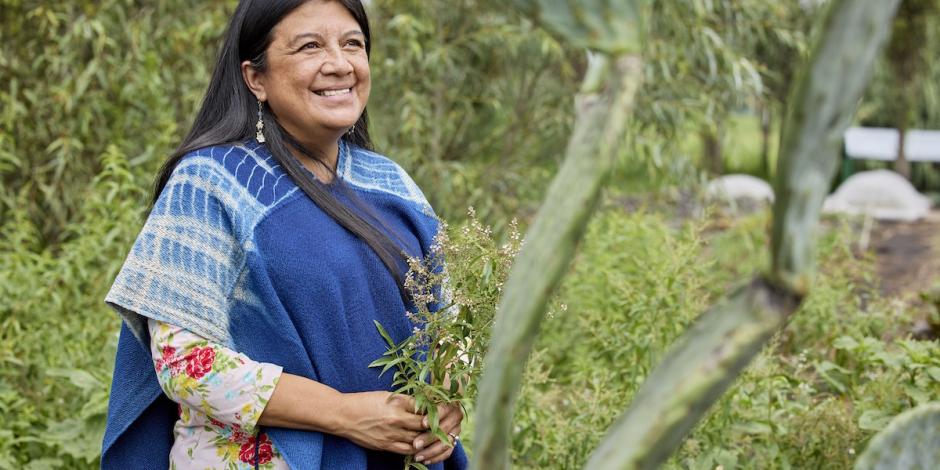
[[234, 251]]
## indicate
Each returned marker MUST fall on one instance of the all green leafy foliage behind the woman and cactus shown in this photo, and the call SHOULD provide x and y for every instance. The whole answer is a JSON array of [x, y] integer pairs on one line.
[[475, 102]]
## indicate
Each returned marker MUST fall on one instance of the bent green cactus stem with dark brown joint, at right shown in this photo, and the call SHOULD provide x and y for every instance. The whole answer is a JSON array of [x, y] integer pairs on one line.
[[709, 356]]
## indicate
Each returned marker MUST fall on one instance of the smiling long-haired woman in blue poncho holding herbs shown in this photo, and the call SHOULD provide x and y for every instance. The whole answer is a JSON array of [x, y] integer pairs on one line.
[[275, 241]]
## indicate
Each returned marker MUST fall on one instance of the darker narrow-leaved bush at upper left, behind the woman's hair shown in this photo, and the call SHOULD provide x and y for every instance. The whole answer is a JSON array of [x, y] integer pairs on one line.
[[81, 77]]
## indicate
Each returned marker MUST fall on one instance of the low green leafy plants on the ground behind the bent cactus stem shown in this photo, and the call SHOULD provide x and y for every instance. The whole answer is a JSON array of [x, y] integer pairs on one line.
[[811, 400]]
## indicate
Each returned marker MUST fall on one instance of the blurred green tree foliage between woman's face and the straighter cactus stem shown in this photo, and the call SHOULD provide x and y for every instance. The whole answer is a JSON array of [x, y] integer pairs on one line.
[[464, 86]]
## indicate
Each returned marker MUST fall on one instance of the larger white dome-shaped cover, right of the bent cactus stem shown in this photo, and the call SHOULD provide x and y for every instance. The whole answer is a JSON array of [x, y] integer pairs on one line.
[[880, 194]]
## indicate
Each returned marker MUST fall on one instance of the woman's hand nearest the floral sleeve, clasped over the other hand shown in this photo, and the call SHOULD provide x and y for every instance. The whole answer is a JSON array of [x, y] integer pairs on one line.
[[381, 421]]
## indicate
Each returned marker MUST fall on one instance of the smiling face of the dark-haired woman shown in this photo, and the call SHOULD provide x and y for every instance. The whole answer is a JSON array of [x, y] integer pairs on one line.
[[317, 79]]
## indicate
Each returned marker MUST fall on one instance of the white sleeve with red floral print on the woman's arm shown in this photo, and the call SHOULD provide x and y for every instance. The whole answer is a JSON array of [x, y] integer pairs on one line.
[[228, 387]]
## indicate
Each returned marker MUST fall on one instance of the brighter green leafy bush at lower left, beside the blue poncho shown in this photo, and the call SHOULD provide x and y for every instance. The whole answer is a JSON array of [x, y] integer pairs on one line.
[[57, 339]]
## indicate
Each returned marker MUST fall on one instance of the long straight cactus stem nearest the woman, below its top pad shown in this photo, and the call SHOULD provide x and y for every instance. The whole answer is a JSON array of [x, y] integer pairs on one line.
[[604, 106]]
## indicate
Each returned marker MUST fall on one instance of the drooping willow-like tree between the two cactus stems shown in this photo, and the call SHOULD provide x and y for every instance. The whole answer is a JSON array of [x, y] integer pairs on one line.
[[706, 59]]
